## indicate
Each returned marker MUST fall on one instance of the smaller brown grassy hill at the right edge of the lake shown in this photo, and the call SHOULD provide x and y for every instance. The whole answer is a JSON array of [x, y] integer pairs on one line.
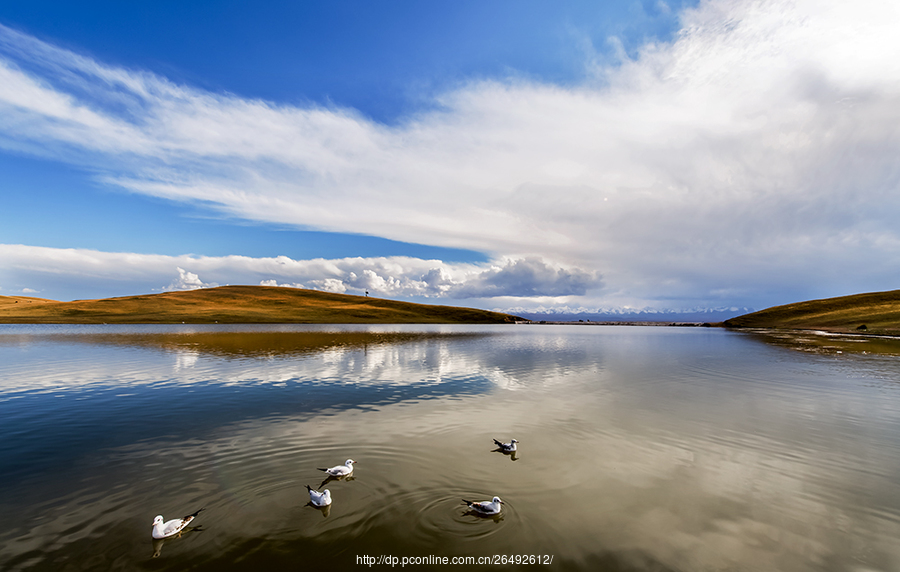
[[871, 313]]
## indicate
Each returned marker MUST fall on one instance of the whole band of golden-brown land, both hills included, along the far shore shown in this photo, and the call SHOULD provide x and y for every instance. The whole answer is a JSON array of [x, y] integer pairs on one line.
[[875, 313]]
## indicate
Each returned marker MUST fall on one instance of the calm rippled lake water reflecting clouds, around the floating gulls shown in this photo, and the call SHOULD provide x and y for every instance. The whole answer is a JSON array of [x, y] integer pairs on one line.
[[641, 448]]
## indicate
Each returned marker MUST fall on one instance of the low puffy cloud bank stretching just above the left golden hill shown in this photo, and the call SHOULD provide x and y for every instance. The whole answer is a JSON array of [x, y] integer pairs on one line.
[[397, 277]]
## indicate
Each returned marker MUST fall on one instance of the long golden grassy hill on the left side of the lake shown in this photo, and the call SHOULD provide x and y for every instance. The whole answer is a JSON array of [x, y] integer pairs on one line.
[[240, 304]]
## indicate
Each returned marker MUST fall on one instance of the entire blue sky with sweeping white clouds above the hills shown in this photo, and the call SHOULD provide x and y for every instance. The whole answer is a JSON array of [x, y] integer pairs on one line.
[[525, 156]]
